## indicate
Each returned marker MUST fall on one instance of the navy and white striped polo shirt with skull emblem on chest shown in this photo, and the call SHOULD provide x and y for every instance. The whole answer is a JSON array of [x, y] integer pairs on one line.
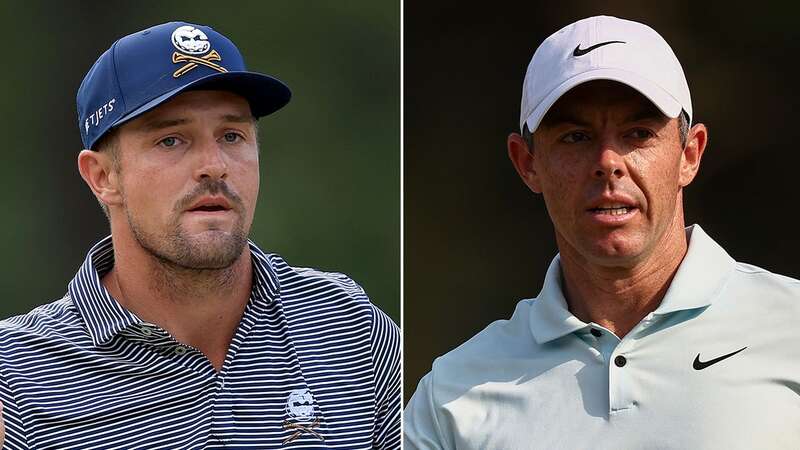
[[313, 365]]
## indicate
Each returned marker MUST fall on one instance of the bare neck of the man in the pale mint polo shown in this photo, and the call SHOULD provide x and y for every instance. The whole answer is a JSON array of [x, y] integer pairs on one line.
[[618, 298]]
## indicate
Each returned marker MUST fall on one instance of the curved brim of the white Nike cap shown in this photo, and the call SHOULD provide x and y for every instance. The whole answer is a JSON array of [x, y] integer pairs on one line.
[[661, 98]]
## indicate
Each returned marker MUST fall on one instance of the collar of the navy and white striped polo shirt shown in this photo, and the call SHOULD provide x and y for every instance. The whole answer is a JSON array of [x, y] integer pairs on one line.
[[105, 317]]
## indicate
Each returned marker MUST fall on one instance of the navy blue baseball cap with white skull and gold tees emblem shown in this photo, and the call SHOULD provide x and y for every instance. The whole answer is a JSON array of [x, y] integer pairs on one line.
[[143, 70]]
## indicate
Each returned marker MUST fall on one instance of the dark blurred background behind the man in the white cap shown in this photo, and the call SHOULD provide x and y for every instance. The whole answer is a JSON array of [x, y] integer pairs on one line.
[[477, 240]]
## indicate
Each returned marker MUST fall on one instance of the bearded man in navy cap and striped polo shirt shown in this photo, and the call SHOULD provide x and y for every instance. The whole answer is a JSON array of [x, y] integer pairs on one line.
[[177, 332]]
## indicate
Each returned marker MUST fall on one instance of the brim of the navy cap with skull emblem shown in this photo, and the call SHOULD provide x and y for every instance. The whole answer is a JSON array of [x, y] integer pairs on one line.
[[264, 93]]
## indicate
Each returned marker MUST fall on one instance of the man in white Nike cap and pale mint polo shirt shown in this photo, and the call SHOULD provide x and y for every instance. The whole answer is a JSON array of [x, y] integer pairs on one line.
[[646, 334]]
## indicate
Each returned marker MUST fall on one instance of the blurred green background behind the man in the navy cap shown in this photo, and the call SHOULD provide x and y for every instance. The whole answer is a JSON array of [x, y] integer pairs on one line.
[[330, 160]]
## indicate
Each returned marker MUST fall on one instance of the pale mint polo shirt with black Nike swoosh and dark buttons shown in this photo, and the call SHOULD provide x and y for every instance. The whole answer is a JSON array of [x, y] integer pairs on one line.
[[715, 366]]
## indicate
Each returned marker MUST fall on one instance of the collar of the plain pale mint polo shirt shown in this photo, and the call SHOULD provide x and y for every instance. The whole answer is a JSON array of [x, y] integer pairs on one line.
[[698, 280]]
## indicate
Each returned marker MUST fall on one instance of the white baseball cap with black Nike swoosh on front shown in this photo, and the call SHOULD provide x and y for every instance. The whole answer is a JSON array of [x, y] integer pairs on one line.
[[604, 48]]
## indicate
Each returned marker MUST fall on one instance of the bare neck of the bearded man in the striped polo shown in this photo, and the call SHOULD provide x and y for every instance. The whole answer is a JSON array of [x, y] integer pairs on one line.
[[199, 308]]
